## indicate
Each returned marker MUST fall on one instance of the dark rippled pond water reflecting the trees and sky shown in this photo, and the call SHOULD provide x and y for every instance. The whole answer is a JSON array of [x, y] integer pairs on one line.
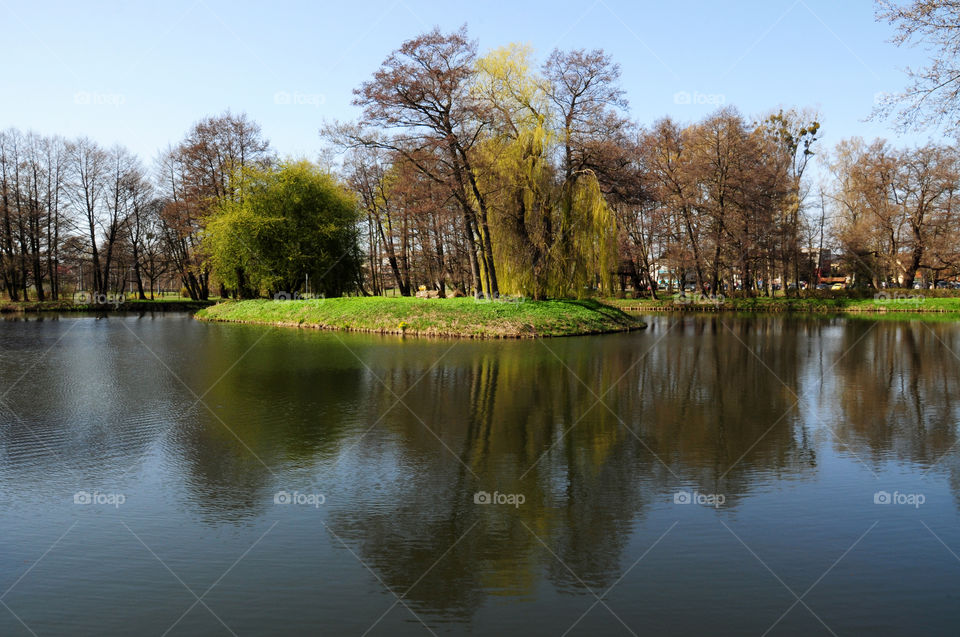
[[781, 432]]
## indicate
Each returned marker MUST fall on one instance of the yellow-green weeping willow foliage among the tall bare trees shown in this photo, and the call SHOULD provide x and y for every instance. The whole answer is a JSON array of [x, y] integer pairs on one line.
[[552, 237]]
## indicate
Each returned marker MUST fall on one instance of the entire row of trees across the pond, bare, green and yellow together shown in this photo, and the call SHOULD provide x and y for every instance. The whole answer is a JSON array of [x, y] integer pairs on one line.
[[478, 174]]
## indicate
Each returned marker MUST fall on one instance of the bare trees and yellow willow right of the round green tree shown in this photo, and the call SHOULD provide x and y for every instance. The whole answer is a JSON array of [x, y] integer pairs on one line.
[[494, 174]]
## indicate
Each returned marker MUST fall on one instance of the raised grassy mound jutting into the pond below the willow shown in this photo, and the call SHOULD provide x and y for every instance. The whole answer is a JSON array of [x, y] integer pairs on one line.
[[464, 317]]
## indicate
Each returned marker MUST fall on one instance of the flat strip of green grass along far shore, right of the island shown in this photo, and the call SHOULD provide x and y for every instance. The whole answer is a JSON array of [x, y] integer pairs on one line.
[[895, 302]]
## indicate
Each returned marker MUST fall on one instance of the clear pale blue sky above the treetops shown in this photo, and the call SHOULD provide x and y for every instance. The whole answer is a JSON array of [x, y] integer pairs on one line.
[[142, 73]]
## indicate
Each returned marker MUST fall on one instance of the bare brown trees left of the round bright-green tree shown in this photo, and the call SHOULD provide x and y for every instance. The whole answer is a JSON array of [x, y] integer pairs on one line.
[[77, 216]]
